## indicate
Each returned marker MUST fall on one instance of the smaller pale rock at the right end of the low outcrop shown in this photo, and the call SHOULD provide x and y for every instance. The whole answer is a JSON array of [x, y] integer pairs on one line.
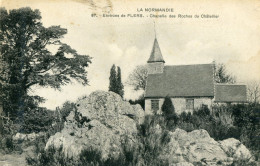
[[234, 148]]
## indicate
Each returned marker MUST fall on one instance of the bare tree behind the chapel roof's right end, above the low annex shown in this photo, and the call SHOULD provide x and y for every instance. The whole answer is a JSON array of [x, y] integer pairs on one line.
[[221, 74]]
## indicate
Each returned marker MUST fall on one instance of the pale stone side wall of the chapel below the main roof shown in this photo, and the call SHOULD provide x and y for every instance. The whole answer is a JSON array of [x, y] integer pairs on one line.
[[179, 104]]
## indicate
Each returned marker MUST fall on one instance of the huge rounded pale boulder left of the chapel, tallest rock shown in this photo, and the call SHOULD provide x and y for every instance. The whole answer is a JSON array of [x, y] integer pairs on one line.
[[100, 121]]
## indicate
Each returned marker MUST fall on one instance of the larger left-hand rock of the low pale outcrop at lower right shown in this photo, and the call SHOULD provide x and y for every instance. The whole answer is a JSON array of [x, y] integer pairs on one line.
[[192, 146]]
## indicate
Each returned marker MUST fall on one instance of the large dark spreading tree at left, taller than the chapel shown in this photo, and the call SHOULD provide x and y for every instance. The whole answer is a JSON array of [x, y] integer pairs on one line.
[[32, 54]]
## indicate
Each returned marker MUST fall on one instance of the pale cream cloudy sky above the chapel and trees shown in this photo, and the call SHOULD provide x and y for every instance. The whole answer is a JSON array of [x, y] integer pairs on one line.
[[233, 38]]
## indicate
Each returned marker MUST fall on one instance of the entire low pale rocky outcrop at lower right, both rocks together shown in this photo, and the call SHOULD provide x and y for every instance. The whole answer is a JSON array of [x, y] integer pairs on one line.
[[198, 146]]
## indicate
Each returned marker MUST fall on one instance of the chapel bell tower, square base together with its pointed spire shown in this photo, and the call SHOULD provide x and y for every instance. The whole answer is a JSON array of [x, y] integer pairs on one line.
[[155, 62]]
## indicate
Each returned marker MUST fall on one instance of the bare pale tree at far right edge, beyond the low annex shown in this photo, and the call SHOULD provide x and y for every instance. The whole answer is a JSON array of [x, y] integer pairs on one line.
[[253, 89]]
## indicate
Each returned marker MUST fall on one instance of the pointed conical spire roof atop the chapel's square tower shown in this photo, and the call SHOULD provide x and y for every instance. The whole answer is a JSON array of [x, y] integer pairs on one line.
[[156, 55]]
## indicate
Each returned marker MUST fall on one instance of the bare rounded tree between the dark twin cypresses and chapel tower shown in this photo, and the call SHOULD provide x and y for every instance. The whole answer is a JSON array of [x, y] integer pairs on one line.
[[137, 78]]
